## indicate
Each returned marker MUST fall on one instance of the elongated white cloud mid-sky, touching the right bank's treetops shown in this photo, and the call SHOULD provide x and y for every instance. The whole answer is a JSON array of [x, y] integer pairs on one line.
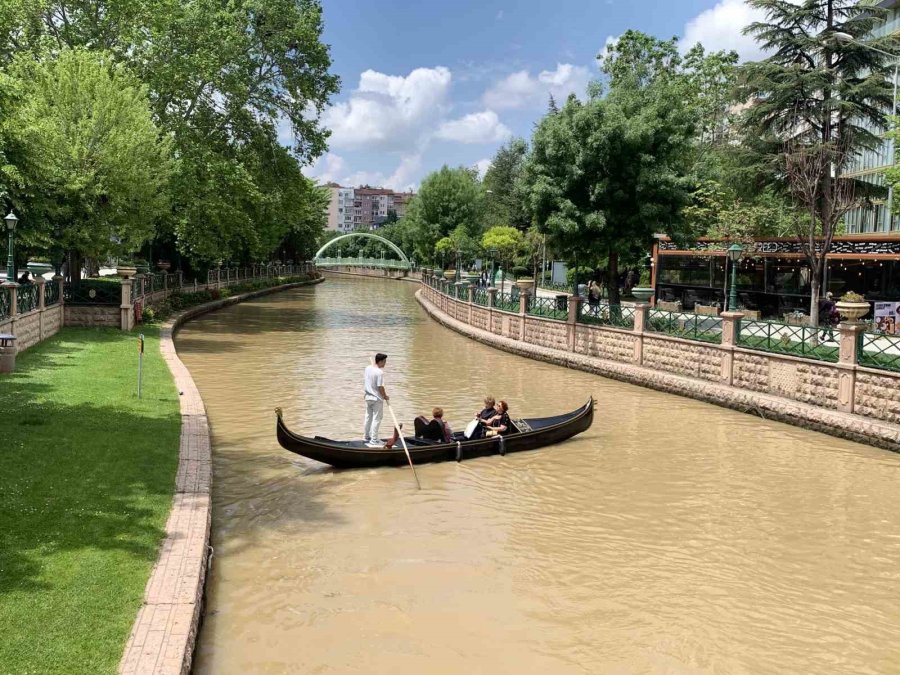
[[521, 90]]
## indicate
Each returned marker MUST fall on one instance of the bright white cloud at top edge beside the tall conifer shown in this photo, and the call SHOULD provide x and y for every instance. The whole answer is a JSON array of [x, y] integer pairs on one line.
[[720, 28]]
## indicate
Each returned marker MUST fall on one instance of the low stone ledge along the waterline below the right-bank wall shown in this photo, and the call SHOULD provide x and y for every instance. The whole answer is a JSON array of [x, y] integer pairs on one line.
[[843, 425]]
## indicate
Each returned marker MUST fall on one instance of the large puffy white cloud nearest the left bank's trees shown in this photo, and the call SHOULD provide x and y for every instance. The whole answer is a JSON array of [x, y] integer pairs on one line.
[[390, 112]]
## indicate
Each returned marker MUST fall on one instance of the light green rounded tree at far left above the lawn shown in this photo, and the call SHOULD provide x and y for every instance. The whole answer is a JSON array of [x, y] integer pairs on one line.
[[84, 155]]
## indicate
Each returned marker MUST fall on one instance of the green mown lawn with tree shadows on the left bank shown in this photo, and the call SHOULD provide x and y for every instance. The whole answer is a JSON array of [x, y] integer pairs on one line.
[[87, 474]]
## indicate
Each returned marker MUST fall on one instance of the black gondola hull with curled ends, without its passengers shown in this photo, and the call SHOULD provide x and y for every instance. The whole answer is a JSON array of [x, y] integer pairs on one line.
[[528, 434]]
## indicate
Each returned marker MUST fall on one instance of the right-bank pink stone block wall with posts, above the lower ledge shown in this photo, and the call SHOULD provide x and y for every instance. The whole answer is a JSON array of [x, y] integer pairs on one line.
[[844, 386]]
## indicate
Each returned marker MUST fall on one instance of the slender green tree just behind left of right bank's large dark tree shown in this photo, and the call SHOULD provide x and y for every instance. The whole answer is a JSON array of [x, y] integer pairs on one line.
[[503, 204]]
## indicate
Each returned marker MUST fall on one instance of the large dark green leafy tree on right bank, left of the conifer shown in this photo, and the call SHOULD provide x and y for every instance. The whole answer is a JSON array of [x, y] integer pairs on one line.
[[605, 175]]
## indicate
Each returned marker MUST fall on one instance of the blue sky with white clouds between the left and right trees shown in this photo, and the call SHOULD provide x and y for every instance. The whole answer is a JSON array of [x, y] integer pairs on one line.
[[426, 83]]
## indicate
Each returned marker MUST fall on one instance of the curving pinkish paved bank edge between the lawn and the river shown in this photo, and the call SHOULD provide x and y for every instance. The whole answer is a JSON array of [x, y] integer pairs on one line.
[[164, 633]]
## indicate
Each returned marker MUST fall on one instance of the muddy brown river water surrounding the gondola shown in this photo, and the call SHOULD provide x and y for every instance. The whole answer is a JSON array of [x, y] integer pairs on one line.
[[672, 537]]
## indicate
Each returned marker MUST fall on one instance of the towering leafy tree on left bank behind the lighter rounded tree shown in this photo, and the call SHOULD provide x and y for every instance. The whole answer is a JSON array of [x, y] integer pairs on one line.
[[224, 81]]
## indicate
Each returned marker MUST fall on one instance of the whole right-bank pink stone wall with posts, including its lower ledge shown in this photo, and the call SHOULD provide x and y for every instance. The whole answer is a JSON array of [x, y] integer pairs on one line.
[[842, 398]]
